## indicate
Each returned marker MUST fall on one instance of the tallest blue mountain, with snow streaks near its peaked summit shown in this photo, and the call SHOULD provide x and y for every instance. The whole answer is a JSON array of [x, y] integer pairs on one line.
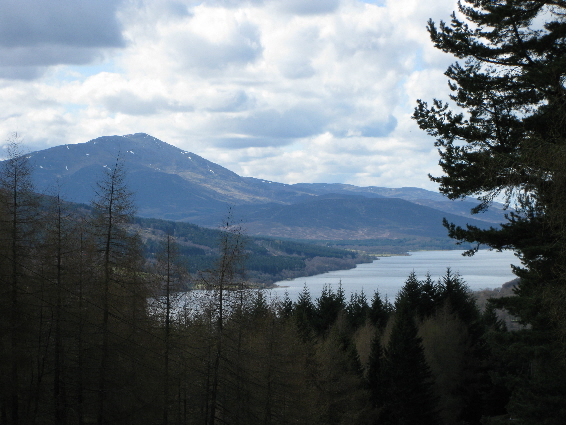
[[168, 182]]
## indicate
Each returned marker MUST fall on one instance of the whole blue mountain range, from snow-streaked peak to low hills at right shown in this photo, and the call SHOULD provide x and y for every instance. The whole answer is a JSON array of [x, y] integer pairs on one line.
[[170, 183]]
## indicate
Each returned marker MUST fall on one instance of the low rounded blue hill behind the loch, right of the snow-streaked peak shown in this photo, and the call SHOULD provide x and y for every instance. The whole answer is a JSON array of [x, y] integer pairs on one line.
[[349, 218]]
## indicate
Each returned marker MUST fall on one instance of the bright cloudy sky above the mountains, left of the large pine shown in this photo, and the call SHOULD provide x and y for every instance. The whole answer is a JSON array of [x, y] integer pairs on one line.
[[285, 90]]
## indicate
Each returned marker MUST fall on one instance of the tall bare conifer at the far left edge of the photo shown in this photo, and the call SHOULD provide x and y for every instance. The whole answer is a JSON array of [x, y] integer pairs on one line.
[[18, 228]]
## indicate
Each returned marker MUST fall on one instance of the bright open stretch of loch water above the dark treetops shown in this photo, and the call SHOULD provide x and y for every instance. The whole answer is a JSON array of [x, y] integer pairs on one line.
[[486, 269]]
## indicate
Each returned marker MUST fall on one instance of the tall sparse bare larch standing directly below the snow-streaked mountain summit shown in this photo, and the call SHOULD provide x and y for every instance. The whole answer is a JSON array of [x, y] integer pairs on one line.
[[119, 293]]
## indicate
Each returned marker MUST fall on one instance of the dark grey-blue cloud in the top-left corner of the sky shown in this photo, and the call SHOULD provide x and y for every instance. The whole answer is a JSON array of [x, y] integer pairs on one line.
[[35, 35]]
